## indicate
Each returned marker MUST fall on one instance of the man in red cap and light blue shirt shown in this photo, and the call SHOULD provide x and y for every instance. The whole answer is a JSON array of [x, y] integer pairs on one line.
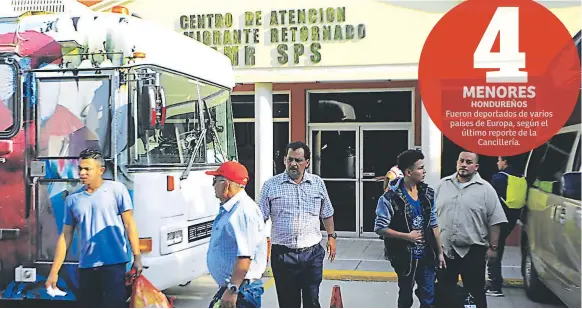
[[237, 255]]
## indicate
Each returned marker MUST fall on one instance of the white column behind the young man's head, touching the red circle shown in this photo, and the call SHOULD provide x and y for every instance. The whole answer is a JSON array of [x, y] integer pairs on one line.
[[431, 148]]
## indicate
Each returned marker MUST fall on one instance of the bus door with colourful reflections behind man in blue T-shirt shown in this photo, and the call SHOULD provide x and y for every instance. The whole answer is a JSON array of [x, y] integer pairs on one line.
[[73, 113]]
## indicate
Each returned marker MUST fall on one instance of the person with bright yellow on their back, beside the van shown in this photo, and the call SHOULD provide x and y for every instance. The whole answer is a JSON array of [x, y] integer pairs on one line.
[[512, 198]]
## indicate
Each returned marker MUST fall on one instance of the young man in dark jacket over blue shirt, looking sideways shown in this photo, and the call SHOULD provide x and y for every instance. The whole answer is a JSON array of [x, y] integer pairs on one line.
[[406, 218]]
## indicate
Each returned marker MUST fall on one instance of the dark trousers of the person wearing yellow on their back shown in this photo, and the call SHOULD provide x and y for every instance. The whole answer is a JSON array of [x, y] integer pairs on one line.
[[494, 266]]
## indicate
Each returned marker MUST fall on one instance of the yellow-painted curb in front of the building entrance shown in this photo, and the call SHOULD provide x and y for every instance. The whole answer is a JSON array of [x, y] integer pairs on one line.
[[378, 276]]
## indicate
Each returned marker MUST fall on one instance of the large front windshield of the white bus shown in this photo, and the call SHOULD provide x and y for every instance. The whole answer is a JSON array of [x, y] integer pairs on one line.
[[197, 113]]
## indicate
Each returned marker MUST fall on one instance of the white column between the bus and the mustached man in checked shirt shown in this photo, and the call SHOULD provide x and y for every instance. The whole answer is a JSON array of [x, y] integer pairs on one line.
[[263, 135]]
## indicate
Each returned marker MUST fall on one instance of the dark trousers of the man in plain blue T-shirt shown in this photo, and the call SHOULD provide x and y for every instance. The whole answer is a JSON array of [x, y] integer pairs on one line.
[[103, 287]]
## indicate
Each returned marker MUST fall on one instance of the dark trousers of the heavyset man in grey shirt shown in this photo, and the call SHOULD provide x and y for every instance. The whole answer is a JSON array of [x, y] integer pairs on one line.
[[472, 271]]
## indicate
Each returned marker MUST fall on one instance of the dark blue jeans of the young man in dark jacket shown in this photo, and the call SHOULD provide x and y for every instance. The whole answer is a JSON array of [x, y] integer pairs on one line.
[[424, 273]]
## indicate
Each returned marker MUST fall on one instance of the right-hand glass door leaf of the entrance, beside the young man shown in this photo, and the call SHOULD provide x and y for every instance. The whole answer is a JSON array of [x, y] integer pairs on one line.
[[378, 149]]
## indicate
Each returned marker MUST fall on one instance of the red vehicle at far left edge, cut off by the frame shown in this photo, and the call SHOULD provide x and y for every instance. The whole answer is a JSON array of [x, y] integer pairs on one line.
[[18, 225]]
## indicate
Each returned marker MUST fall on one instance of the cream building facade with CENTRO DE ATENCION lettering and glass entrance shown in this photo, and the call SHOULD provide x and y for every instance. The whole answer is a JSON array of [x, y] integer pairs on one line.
[[340, 75]]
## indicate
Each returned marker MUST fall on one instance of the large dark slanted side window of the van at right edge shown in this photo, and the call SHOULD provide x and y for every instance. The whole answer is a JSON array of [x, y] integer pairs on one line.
[[554, 163]]
